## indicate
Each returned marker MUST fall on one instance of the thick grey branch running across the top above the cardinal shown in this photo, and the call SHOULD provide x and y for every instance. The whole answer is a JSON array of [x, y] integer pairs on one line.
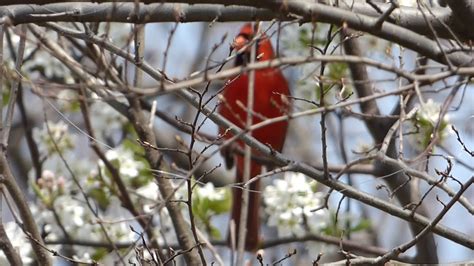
[[400, 28]]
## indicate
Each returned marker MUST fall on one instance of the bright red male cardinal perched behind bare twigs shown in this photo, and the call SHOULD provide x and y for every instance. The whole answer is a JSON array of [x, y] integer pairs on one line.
[[269, 94]]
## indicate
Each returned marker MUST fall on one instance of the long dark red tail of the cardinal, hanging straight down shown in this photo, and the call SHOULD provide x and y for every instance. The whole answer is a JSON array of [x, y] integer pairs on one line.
[[252, 238]]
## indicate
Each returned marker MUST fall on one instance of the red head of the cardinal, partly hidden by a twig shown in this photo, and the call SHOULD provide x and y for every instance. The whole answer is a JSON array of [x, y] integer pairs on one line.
[[246, 34]]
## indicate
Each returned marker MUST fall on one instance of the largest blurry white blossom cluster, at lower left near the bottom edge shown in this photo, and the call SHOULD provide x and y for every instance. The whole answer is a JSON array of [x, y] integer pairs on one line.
[[62, 214]]
